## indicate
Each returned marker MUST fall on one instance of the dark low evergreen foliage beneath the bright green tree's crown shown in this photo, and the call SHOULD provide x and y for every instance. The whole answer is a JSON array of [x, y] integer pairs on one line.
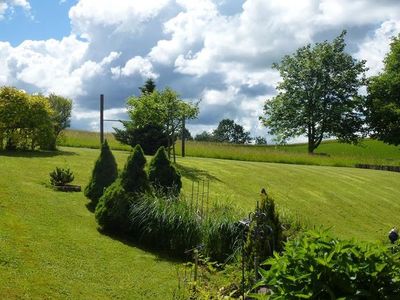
[[150, 137]]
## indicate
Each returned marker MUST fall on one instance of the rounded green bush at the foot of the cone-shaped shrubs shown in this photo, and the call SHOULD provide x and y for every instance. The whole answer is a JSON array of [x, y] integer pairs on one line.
[[113, 207]]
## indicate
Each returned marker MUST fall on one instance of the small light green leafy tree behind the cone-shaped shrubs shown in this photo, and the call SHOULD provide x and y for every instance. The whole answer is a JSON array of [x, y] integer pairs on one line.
[[164, 108]]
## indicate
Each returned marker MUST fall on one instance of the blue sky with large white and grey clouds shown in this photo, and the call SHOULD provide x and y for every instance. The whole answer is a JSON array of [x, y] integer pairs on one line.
[[220, 51]]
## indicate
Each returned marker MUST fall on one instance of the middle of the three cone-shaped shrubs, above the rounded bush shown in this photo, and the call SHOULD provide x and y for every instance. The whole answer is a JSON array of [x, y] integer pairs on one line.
[[134, 178]]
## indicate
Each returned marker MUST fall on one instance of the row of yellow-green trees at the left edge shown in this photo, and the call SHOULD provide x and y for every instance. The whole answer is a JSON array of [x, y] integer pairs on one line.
[[31, 121]]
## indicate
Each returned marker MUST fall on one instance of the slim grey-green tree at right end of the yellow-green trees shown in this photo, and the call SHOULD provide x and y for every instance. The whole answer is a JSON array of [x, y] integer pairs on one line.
[[61, 116]]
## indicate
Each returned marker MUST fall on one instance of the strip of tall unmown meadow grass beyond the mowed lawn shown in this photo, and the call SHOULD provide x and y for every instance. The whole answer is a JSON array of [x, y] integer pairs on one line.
[[333, 153]]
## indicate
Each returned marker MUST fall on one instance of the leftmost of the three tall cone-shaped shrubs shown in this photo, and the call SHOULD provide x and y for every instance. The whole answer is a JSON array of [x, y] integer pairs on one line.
[[104, 173]]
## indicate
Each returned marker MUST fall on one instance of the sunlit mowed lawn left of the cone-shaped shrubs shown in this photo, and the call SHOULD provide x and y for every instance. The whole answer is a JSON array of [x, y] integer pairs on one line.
[[49, 245]]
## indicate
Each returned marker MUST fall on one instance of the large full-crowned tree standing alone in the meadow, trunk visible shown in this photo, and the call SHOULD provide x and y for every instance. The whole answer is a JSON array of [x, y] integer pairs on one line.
[[318, 95]]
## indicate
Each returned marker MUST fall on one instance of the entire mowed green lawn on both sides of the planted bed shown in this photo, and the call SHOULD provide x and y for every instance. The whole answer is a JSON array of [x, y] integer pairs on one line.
[[50, 248]]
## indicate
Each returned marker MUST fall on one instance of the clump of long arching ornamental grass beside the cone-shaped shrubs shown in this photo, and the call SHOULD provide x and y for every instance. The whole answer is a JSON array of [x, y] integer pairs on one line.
[[165, 224]]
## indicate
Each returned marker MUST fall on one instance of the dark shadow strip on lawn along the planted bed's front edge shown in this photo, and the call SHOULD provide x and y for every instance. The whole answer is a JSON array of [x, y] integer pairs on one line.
[[160, 255]]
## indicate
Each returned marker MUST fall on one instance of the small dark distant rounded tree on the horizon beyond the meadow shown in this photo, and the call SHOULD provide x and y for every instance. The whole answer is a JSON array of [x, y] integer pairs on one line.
[[230, 132]]
